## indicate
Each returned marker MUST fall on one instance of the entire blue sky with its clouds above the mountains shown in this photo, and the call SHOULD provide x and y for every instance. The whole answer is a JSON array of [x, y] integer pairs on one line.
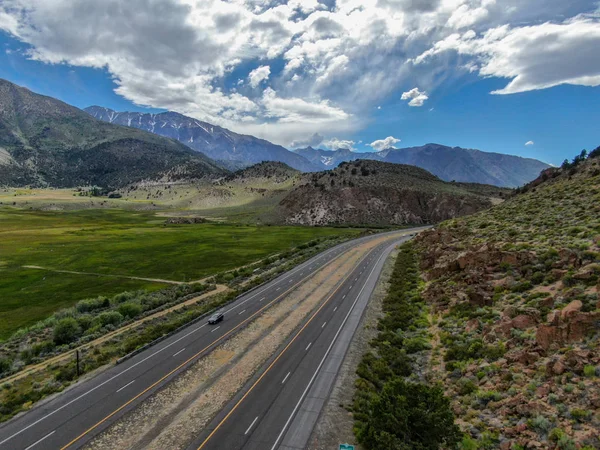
[[330, 74]]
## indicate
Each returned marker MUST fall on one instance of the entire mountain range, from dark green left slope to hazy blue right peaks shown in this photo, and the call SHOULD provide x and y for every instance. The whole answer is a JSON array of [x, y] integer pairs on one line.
[[45, 142]]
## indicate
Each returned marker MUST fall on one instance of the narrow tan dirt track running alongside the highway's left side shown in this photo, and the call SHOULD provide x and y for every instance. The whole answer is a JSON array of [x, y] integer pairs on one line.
[[69, 355]]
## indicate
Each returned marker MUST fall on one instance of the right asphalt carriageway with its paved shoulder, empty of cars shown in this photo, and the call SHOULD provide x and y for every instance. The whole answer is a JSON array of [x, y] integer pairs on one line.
[[261, 414]]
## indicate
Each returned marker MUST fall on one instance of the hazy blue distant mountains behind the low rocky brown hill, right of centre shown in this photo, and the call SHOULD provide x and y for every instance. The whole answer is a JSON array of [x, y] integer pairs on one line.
[[448, 163]]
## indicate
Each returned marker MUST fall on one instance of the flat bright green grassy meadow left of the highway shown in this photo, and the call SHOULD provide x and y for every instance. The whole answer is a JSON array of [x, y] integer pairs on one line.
[[119, 243]]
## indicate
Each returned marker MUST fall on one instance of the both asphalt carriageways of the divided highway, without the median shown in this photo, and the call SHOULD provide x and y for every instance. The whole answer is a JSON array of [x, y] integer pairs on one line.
[[73, 418]]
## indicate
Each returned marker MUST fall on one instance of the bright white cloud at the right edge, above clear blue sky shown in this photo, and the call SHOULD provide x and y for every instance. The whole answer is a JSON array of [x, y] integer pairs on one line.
[[532, 57]]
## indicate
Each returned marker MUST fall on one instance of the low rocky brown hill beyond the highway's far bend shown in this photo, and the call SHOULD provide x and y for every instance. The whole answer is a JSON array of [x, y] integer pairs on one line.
[[372, 192]]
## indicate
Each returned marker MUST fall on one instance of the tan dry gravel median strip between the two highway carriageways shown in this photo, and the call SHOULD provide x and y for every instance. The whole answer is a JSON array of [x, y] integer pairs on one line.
[[172, 417]]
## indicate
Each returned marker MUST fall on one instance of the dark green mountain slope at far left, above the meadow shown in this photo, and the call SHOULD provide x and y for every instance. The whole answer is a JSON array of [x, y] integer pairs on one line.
[[45, 142]]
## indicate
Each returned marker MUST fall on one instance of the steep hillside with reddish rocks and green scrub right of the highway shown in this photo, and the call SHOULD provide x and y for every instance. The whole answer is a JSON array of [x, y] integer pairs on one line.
[[514, 295]]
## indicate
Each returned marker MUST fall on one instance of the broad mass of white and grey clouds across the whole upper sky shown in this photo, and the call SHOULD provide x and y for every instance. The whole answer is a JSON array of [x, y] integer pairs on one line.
[[321, 66]]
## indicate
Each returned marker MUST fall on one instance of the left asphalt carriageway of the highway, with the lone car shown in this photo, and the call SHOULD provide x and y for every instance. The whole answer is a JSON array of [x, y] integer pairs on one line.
[[72, 418]]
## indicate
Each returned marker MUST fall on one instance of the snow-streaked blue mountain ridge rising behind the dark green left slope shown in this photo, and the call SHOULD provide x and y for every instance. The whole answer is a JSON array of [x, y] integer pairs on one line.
[[216, 142]]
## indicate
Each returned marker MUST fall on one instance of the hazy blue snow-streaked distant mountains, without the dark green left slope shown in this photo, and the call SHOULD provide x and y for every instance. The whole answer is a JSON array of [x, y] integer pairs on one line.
[[235, 151]]
